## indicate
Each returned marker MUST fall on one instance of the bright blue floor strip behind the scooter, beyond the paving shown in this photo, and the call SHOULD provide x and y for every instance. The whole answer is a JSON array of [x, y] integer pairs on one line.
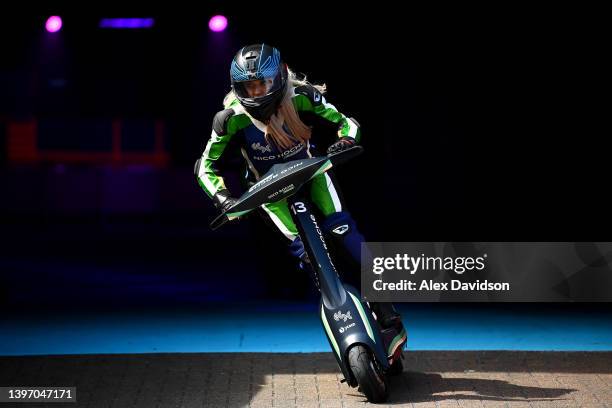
[[296, 328]]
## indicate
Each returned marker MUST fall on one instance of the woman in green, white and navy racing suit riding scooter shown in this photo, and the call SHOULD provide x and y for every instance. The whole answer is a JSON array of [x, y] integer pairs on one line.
[[269, 117]]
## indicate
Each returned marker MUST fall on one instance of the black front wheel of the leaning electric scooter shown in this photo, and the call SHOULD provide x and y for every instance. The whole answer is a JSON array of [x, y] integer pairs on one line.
[[368, 374]]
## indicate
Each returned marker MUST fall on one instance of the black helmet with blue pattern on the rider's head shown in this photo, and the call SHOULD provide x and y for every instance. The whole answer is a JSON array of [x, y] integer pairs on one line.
[[259, 62]]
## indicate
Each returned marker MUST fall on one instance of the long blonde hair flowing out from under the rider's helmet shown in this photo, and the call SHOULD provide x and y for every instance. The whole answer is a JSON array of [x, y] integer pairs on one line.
[[285, 115]]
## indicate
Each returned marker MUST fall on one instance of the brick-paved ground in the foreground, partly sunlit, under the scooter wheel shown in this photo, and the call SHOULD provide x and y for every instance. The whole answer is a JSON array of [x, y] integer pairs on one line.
[[433, 379]]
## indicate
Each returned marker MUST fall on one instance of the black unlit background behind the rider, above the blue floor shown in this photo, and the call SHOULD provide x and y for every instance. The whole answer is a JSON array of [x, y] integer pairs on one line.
[[478, 125]]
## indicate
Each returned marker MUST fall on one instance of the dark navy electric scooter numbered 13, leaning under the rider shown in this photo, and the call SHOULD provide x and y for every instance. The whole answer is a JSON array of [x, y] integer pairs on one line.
[[366, 353]]
